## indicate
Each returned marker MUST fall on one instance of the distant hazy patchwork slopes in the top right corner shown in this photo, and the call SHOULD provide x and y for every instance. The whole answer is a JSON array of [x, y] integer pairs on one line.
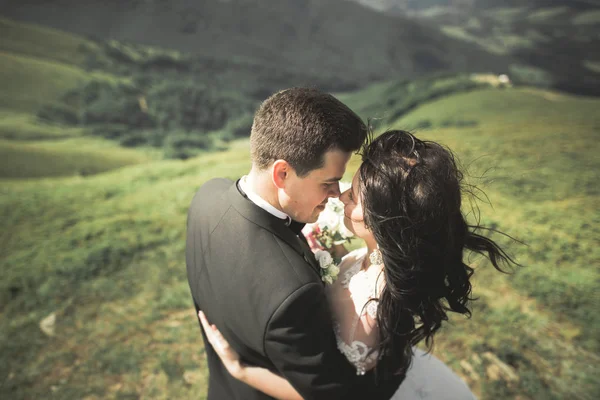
[[551, 43]]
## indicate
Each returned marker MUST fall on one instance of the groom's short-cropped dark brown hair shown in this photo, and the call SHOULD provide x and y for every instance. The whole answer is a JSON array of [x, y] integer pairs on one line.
[[299, 125]]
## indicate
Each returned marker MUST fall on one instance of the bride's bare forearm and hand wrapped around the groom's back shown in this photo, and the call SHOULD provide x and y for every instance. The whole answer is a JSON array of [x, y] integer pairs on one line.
[[259, 378]]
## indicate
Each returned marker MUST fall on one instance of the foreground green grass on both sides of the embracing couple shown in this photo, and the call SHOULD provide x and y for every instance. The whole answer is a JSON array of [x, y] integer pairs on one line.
[[104, 257]]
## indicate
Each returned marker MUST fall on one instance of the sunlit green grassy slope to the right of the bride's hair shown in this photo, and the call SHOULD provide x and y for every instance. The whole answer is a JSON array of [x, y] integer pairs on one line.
[[535, 152]]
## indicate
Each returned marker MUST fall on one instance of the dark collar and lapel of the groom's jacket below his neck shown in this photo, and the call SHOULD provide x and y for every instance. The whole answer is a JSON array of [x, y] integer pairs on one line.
[[254, 213]]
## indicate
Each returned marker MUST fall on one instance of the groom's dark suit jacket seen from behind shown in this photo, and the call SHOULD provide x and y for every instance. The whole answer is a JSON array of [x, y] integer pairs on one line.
[[259, 284]]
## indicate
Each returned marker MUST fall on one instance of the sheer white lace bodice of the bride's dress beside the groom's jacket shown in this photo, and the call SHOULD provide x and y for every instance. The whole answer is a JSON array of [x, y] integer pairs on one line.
[[353, 300]]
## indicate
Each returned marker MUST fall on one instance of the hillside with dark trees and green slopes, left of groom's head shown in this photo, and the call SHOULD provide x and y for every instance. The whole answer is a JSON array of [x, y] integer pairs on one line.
[[58, 85]]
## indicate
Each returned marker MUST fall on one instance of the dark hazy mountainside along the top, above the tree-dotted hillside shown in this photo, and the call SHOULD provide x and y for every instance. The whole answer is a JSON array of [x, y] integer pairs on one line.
[[325, 37]]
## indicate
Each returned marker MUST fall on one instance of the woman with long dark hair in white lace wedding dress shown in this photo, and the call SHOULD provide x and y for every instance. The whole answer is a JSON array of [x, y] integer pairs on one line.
[[405, 203]]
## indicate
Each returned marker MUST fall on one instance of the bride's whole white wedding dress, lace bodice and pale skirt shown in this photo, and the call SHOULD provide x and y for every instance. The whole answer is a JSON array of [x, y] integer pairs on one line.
[[357, 334]]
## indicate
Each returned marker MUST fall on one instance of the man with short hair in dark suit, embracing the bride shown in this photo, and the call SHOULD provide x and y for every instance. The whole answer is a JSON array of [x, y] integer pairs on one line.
[[249, 267]]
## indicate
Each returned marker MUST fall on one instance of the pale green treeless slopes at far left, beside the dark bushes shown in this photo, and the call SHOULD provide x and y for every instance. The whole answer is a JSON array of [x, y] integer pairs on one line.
[[38, 66]]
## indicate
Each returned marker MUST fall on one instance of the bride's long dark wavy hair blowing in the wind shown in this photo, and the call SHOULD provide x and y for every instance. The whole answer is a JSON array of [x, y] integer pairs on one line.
[[411, 198]]
